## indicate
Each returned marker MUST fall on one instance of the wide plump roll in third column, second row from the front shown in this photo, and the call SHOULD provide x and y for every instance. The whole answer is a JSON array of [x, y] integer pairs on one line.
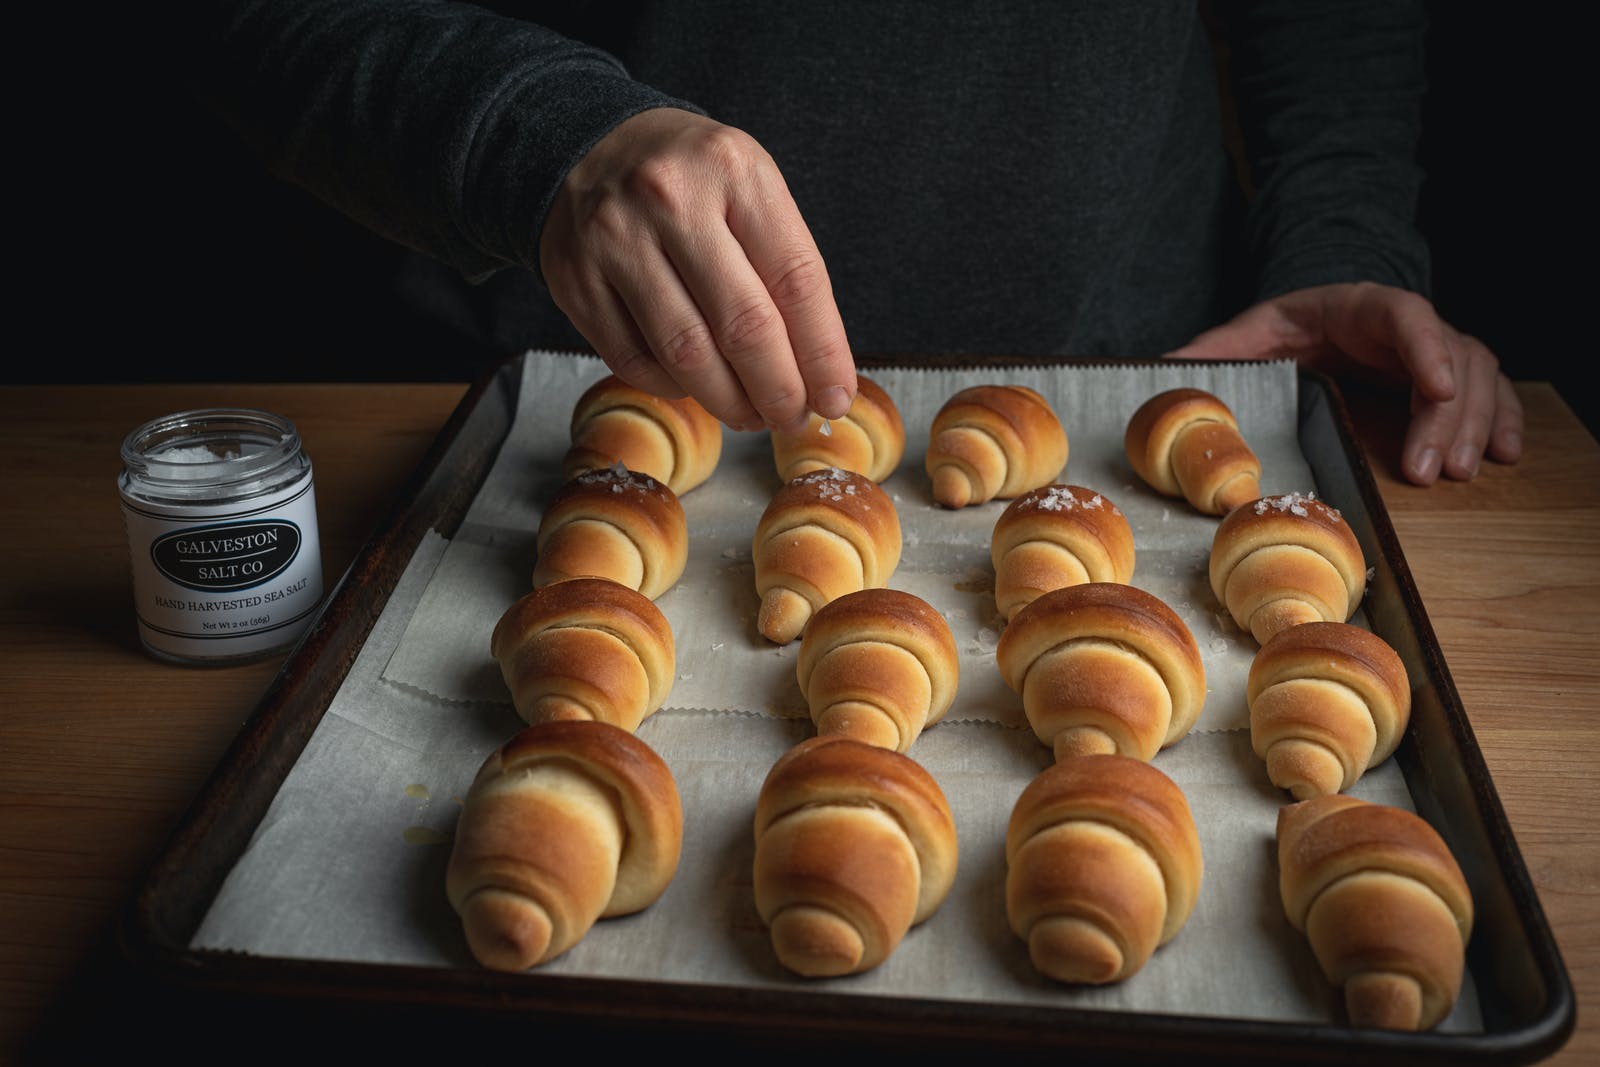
[[1103, 668]]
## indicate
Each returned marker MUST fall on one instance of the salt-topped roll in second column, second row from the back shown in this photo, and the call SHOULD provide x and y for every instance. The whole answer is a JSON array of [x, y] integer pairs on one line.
[[822, 537]]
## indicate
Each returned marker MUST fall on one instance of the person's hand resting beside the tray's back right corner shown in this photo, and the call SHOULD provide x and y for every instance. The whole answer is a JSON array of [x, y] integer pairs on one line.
[[1463, 407]]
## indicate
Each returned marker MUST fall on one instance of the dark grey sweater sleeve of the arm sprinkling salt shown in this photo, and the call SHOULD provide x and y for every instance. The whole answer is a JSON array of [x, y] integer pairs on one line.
[[442, 127]]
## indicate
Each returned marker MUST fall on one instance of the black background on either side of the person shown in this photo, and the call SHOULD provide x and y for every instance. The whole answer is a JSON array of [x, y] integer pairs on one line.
[[174, 257]]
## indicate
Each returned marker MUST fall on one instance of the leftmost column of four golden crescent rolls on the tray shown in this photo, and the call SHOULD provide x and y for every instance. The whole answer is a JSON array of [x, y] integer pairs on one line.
[[575, 818]]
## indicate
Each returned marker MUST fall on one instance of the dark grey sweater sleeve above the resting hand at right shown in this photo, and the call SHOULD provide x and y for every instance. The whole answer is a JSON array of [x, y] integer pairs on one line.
[[1330, 100]]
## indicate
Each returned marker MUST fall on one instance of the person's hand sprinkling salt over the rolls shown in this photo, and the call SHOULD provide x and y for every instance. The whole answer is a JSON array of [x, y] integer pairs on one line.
[[676, 249]]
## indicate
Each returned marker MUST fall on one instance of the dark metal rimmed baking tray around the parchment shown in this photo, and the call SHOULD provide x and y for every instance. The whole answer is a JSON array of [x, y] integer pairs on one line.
[[1522, 986]]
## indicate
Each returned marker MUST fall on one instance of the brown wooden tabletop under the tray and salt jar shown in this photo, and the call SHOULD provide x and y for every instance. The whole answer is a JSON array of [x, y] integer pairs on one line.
[[102, 748]]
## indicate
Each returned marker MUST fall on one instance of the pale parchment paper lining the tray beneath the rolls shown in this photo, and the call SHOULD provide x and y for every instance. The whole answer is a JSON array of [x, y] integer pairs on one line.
[[350, 860]]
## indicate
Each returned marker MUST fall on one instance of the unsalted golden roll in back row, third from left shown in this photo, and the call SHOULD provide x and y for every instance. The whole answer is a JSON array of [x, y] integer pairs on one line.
[[994, 442]]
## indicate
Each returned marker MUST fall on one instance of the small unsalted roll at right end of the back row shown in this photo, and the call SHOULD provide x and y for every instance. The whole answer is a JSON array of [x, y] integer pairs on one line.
[[1186, 444]]
